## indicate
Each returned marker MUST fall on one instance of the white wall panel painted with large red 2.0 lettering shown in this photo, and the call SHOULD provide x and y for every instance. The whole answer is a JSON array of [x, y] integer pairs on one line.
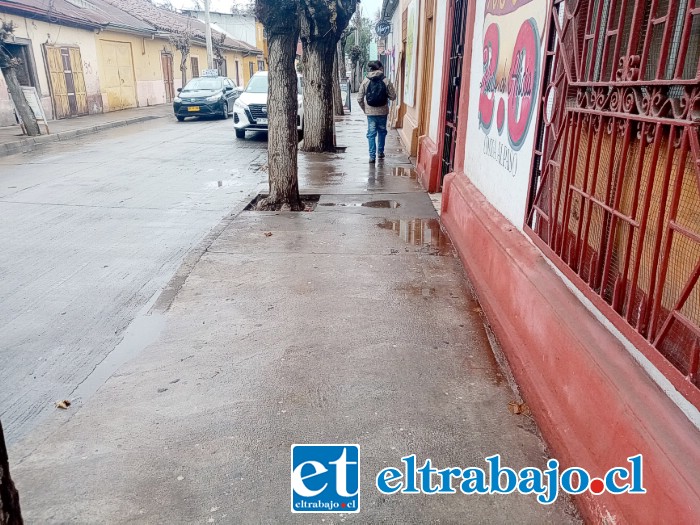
[[506, 73]]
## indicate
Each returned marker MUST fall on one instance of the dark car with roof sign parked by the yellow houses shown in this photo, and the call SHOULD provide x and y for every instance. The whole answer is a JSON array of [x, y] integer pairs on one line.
[[206, 96]]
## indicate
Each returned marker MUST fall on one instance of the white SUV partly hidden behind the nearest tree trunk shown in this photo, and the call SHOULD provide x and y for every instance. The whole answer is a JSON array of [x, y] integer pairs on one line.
[[250, 109]]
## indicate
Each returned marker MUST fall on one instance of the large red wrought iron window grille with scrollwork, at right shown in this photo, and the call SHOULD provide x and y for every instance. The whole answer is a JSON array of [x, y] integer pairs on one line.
[[615, 191]]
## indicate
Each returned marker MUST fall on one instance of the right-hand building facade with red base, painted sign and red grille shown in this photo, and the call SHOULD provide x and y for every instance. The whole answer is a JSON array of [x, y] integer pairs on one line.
[[565, 138]]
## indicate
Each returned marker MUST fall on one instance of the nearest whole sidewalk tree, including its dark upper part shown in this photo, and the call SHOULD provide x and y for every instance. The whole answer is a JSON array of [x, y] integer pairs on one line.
[[282, 144]]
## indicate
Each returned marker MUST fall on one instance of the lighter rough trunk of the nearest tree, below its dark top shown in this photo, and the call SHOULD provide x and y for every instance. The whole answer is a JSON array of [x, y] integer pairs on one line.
[[282, 143]]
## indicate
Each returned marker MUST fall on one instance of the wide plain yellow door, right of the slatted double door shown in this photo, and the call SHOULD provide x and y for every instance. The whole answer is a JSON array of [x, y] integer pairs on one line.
[[118, 77]]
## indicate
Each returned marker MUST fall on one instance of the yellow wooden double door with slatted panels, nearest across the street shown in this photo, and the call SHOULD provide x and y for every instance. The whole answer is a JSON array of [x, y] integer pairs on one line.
[[68, 91]]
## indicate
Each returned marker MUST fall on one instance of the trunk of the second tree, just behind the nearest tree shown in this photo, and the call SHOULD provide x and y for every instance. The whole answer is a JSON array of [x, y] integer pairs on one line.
[[318, 95]]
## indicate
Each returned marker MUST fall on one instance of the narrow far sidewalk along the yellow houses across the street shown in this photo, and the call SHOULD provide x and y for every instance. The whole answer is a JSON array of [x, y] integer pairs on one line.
[[12, 140]]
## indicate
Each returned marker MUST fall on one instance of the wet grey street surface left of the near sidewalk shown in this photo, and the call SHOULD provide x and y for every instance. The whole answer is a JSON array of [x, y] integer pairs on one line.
[[92, 229]]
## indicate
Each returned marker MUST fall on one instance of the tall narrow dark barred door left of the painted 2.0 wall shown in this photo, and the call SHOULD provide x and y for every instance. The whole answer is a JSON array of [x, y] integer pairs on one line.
[[458, 10]]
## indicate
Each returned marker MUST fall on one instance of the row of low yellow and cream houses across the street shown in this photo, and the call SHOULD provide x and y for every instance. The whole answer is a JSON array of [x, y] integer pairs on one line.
[[86, 57]]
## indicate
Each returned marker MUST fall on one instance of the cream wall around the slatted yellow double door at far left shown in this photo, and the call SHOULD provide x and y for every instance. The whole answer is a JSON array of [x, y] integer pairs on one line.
[[46, 33]]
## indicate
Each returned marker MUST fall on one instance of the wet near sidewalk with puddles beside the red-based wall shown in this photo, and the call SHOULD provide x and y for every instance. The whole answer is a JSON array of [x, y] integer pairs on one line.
[[353, 323]]
